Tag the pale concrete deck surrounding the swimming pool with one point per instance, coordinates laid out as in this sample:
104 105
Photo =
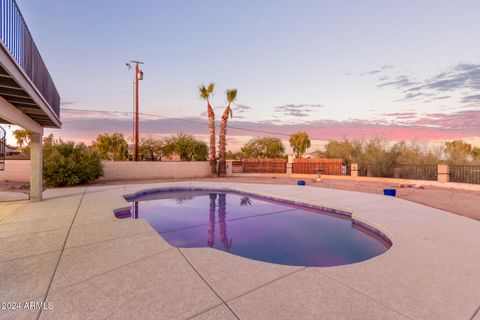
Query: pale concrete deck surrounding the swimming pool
71 251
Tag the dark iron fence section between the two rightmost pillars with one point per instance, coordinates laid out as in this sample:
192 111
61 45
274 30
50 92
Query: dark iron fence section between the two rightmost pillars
404 171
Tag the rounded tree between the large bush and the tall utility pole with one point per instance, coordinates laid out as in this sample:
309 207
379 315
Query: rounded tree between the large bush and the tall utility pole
112 147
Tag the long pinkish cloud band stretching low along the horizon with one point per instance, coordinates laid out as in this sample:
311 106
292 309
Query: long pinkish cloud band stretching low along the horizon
392 126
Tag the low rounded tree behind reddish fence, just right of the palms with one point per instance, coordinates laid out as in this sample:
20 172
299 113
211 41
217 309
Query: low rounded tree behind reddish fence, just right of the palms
265 147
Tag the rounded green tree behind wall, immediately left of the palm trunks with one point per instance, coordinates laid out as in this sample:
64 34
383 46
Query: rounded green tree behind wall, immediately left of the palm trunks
186 147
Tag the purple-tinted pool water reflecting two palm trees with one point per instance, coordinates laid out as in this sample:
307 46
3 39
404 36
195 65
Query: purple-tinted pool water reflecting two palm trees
255 228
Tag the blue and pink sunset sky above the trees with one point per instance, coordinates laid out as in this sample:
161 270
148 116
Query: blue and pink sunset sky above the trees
403 70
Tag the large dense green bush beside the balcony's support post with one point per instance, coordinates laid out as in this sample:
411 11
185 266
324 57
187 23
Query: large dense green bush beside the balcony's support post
69 164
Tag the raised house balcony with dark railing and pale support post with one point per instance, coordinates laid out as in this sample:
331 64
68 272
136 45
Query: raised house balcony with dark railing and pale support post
28 97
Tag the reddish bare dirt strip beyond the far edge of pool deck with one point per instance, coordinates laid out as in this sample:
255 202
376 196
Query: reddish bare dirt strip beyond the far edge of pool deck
461 202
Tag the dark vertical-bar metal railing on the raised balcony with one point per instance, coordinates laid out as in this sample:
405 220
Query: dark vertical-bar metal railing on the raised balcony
16 38
